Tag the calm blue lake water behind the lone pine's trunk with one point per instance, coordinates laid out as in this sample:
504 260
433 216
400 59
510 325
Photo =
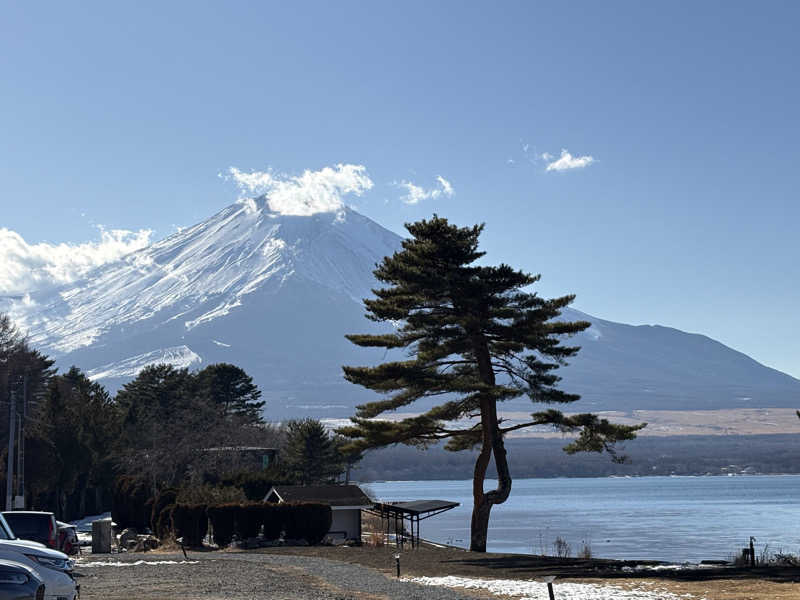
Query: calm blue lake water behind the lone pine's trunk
664 518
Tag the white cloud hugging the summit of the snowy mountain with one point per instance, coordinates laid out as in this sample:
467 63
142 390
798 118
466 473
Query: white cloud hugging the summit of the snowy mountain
306 194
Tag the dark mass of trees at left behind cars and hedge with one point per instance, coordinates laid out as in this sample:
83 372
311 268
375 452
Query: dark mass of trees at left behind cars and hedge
169 428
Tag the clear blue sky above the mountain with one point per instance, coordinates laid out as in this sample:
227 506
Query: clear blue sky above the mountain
124 114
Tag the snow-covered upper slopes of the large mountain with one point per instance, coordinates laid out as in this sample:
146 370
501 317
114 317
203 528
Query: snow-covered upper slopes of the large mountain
205 272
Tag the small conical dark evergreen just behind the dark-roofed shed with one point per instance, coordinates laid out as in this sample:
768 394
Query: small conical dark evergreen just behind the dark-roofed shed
311 455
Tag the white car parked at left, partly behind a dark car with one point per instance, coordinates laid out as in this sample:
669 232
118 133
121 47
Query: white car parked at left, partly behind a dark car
54 568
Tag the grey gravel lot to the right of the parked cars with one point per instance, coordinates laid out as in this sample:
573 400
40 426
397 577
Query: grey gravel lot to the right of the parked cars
240 576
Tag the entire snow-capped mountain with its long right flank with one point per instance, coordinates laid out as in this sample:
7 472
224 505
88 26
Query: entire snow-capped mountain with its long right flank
276 294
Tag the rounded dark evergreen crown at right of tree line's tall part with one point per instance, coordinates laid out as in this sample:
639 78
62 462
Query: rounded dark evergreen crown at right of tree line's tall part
233 390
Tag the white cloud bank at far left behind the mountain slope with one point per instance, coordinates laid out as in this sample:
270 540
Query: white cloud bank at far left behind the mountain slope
28 267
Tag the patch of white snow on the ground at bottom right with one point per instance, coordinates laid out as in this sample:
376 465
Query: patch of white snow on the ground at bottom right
535 590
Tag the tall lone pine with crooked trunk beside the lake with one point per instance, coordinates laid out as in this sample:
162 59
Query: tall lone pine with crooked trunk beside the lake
475 338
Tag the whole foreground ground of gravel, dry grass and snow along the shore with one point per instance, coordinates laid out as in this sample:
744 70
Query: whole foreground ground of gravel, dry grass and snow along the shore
330 573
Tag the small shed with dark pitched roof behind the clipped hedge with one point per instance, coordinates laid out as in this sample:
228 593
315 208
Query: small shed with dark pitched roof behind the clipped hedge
346 502
